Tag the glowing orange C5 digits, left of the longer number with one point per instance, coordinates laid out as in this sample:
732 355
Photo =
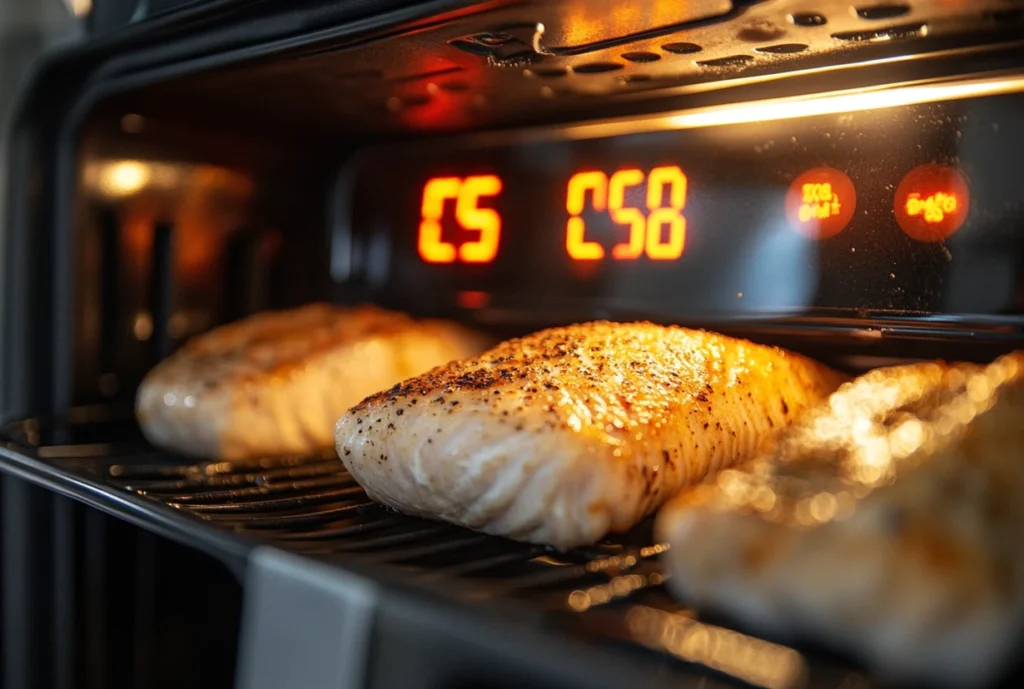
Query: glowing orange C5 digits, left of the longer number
466 193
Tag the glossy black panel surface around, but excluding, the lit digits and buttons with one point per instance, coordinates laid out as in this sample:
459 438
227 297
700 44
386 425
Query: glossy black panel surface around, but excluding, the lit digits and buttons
742 256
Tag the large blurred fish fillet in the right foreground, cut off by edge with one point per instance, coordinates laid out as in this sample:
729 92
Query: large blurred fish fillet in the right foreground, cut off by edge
887 523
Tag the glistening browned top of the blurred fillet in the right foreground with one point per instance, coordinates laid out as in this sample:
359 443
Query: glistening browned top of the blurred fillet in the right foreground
873 432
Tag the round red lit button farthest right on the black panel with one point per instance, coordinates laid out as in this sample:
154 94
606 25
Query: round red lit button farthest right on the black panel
932 202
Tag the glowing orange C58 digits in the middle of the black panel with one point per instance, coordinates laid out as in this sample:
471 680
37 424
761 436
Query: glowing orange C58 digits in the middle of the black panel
646 233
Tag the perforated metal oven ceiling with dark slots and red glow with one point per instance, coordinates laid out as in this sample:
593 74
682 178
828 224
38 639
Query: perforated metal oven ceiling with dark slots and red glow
521 62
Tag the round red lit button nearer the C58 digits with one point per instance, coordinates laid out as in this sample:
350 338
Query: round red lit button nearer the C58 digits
821 203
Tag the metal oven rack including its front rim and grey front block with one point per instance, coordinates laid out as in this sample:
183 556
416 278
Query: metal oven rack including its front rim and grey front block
339 592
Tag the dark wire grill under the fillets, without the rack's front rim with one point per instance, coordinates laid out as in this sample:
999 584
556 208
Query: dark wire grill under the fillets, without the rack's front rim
610 593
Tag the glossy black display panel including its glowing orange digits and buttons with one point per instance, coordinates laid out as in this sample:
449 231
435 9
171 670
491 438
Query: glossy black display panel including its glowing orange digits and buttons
911 210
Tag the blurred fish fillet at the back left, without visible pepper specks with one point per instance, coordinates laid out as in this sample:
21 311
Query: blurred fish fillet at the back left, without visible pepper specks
277 383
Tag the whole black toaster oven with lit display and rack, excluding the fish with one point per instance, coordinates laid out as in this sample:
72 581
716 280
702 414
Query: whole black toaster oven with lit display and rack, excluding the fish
837 178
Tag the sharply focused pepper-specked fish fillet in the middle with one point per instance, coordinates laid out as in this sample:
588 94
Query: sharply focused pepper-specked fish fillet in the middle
571 434
